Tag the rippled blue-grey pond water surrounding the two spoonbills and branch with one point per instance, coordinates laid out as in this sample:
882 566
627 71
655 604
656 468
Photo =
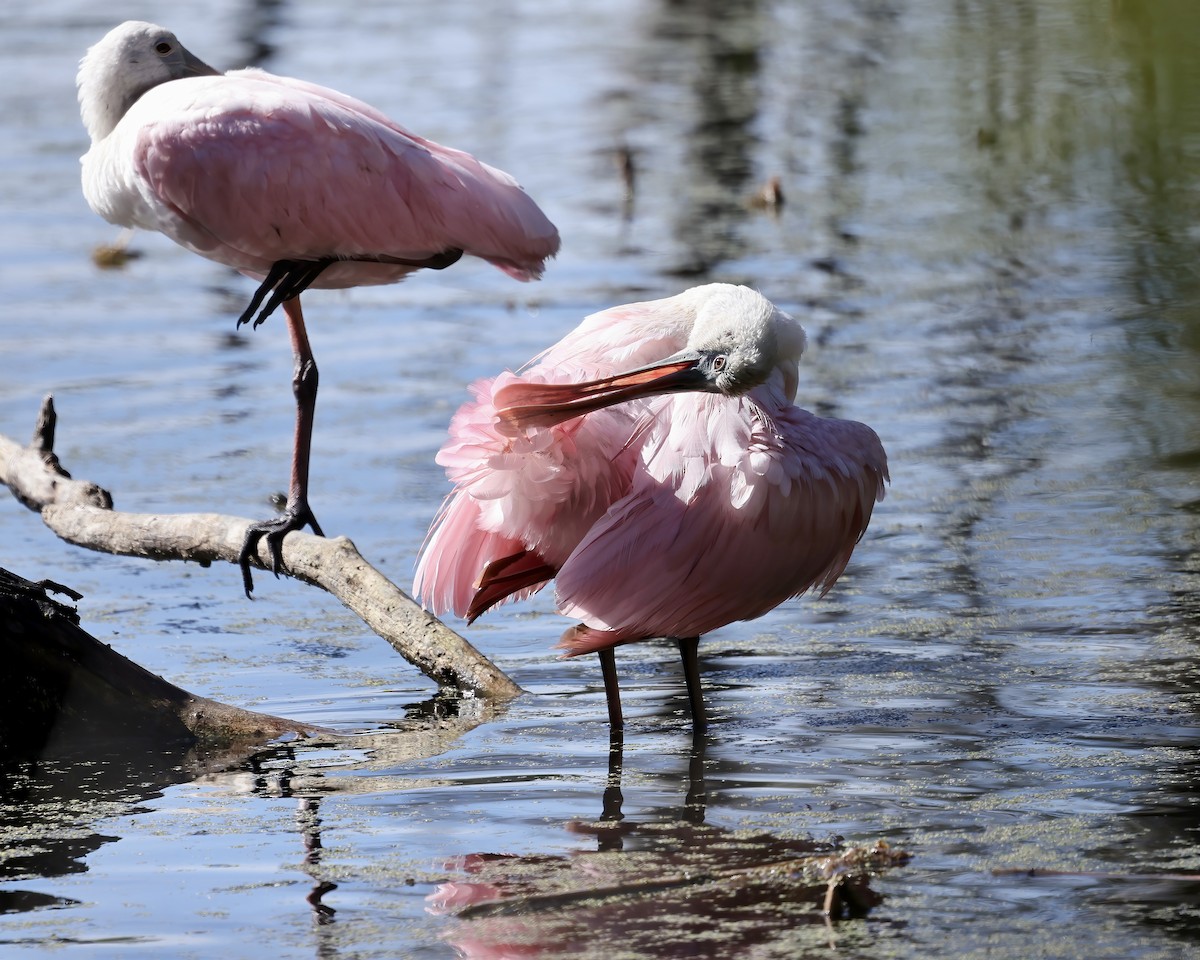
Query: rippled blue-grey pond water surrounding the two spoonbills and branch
989 232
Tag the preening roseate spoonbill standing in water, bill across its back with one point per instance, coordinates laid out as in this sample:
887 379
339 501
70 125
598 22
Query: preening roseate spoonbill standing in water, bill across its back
653 463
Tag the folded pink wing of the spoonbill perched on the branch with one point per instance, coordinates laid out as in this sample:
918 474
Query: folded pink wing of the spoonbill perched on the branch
262 169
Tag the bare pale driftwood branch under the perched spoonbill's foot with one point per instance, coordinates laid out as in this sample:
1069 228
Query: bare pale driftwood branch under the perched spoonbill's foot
82 513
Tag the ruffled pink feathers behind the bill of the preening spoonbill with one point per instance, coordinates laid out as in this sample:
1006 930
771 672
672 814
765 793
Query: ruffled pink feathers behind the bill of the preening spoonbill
543 488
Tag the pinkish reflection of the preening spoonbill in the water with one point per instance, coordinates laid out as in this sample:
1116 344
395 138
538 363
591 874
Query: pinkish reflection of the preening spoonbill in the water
670 887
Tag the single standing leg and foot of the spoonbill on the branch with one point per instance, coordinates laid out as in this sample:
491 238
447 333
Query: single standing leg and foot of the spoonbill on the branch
297 514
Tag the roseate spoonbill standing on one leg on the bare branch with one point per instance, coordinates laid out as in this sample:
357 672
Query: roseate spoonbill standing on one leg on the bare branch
292 184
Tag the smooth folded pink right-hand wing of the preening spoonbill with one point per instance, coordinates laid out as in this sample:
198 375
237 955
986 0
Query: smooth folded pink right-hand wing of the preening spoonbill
725 519
